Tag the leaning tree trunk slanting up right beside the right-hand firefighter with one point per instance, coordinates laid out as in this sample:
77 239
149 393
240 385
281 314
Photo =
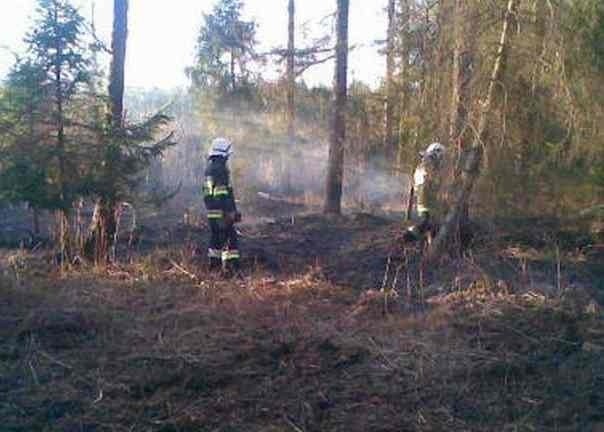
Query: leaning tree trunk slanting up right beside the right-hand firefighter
471 166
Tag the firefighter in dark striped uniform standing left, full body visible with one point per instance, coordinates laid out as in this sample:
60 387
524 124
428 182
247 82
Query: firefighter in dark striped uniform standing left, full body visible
222 211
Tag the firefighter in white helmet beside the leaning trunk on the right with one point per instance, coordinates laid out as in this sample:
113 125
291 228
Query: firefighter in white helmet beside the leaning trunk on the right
426 183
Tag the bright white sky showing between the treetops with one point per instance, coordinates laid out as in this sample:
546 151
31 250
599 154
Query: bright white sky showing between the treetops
163 34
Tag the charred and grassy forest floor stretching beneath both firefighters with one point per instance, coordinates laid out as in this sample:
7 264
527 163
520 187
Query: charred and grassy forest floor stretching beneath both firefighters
332 326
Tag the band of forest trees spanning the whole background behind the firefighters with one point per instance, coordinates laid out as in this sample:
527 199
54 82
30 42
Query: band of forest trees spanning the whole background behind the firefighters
514 89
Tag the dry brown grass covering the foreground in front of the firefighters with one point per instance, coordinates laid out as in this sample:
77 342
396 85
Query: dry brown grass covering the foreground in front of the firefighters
161 346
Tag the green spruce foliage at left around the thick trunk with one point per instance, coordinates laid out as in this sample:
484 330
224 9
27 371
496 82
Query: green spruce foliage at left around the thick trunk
57 146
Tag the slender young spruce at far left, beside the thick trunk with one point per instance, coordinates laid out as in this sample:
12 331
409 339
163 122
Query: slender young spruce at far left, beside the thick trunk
58 56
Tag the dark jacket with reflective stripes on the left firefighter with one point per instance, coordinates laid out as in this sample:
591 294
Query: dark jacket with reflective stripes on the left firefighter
217 190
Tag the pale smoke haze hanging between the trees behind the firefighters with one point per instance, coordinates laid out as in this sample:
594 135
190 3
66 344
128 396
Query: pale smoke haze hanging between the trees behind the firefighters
262 155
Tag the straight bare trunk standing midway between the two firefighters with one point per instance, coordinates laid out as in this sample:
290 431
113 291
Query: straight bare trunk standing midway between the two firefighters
335 169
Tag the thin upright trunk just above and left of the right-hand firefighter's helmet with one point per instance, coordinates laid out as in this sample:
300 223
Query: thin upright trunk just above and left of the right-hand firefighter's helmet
390 96
